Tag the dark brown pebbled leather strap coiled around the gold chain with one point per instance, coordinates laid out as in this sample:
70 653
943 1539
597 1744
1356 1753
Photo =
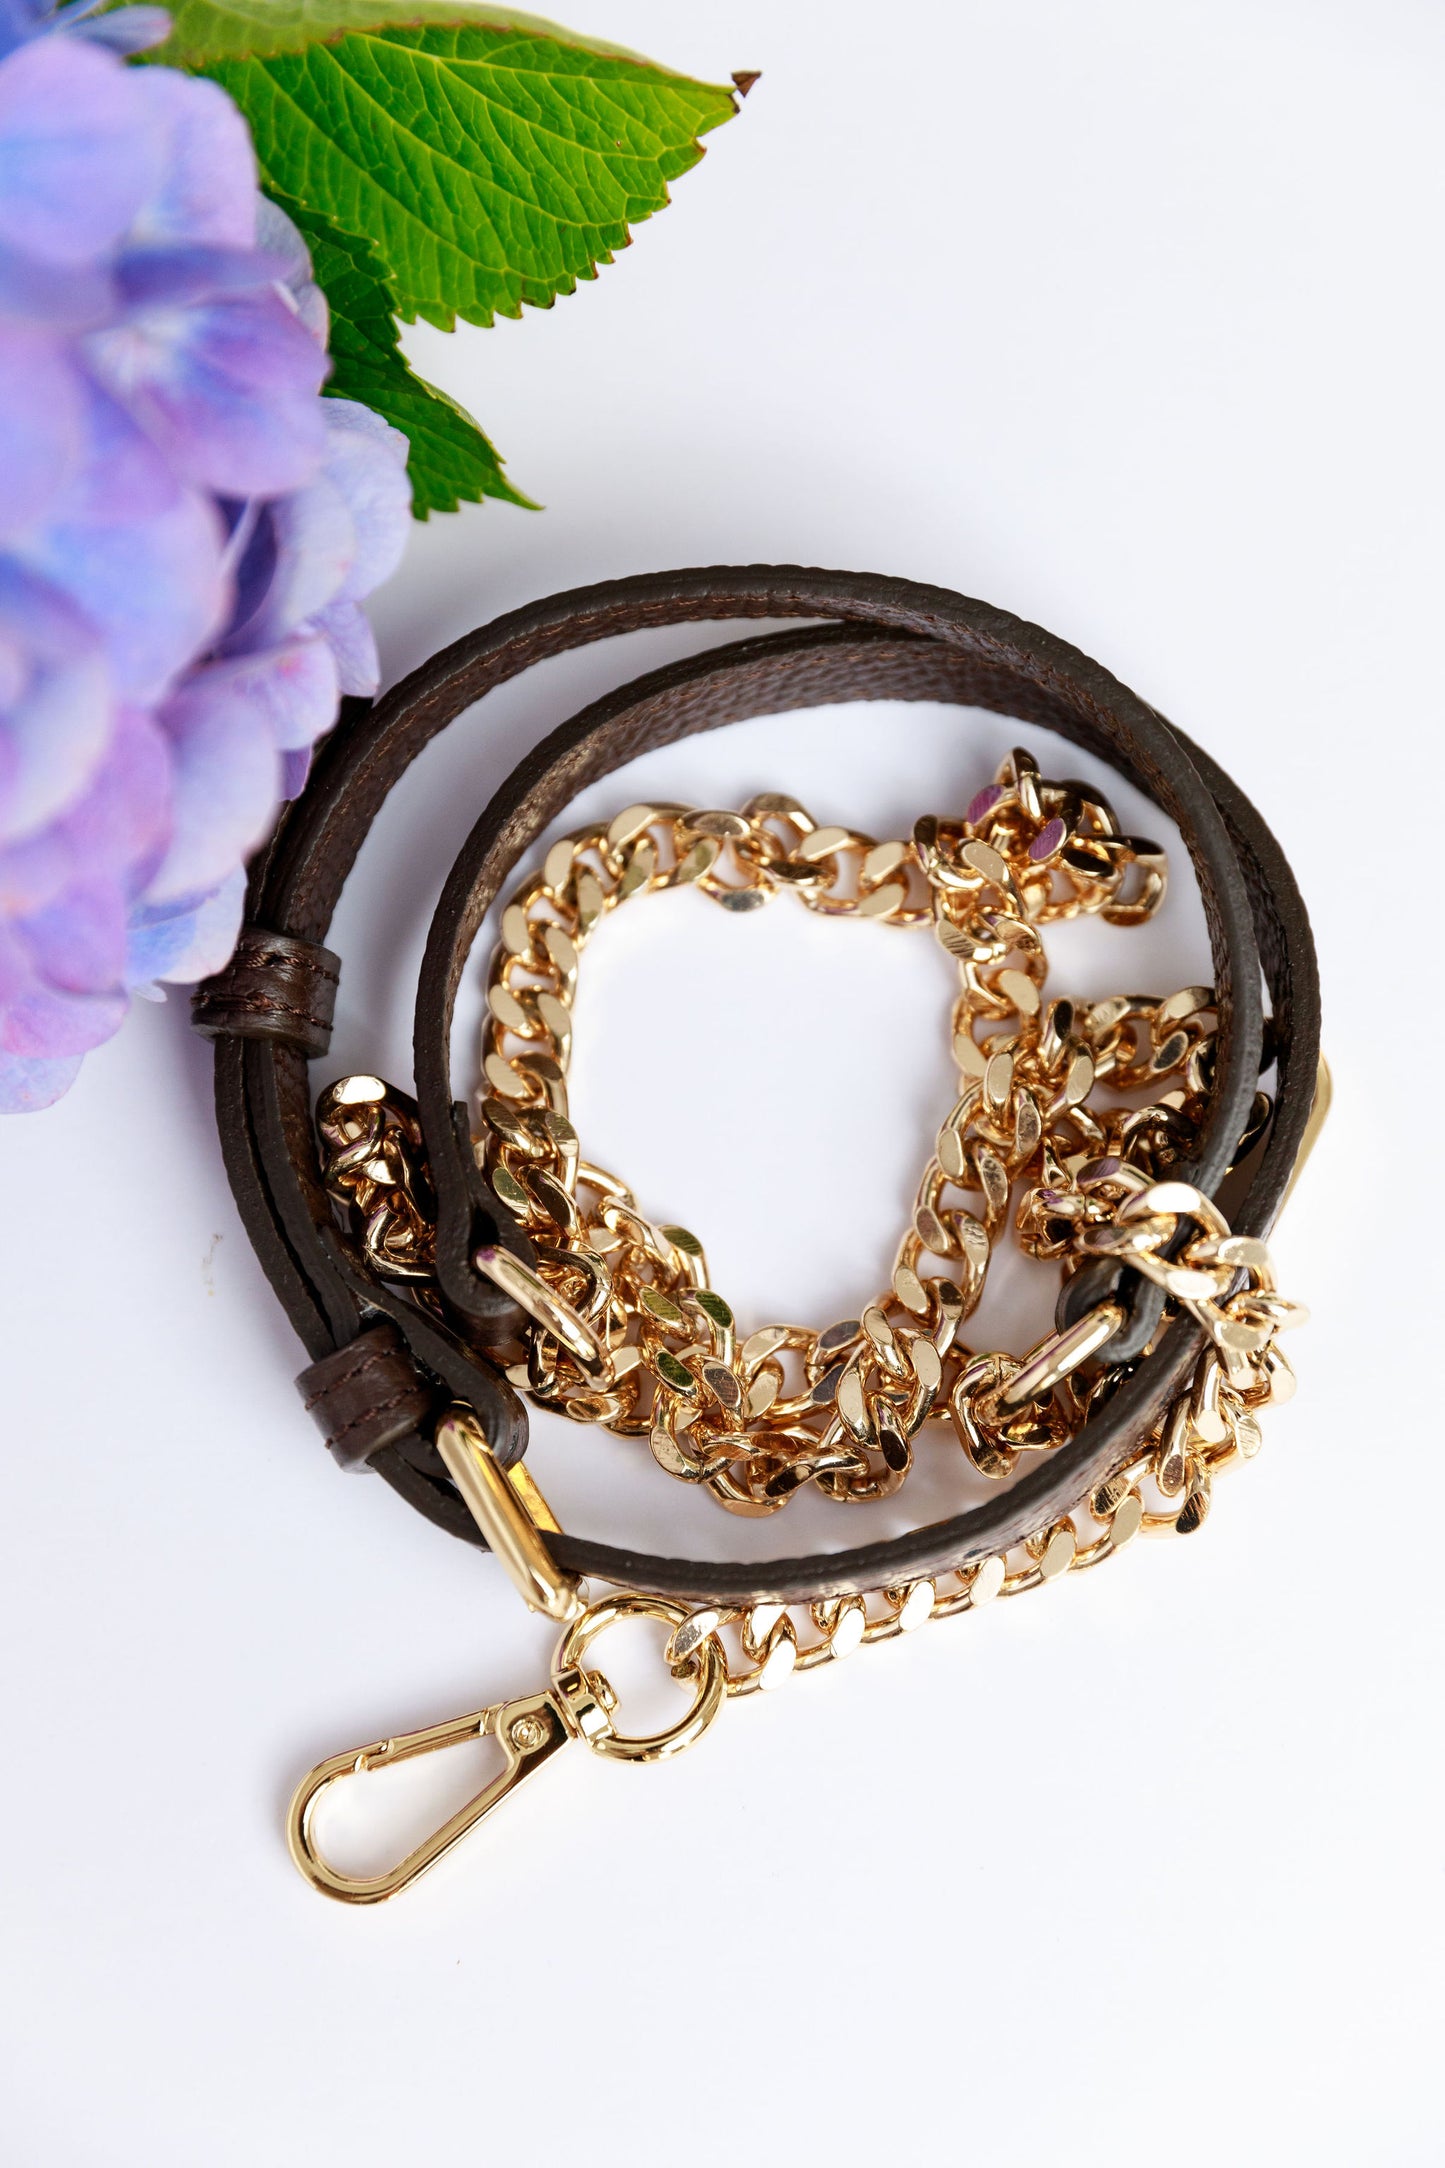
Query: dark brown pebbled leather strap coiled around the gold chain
887 641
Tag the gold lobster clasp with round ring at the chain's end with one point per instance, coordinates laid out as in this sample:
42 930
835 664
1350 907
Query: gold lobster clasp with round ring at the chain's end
530 1731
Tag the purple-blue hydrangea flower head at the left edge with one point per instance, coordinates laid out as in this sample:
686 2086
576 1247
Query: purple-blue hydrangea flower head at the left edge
187 530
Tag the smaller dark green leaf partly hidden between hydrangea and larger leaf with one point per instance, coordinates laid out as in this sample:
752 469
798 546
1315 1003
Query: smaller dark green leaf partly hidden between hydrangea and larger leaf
452 461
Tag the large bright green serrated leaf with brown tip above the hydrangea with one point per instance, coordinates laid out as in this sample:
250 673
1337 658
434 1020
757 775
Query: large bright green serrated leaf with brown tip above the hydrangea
489 164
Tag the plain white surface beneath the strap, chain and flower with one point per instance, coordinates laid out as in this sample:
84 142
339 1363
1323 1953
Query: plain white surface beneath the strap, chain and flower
1123 315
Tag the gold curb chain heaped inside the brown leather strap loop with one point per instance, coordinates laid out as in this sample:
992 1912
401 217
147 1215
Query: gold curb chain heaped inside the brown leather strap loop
649 1345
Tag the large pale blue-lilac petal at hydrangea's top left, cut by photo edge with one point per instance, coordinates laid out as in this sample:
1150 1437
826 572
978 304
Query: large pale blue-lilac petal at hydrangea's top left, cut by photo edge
77 153
